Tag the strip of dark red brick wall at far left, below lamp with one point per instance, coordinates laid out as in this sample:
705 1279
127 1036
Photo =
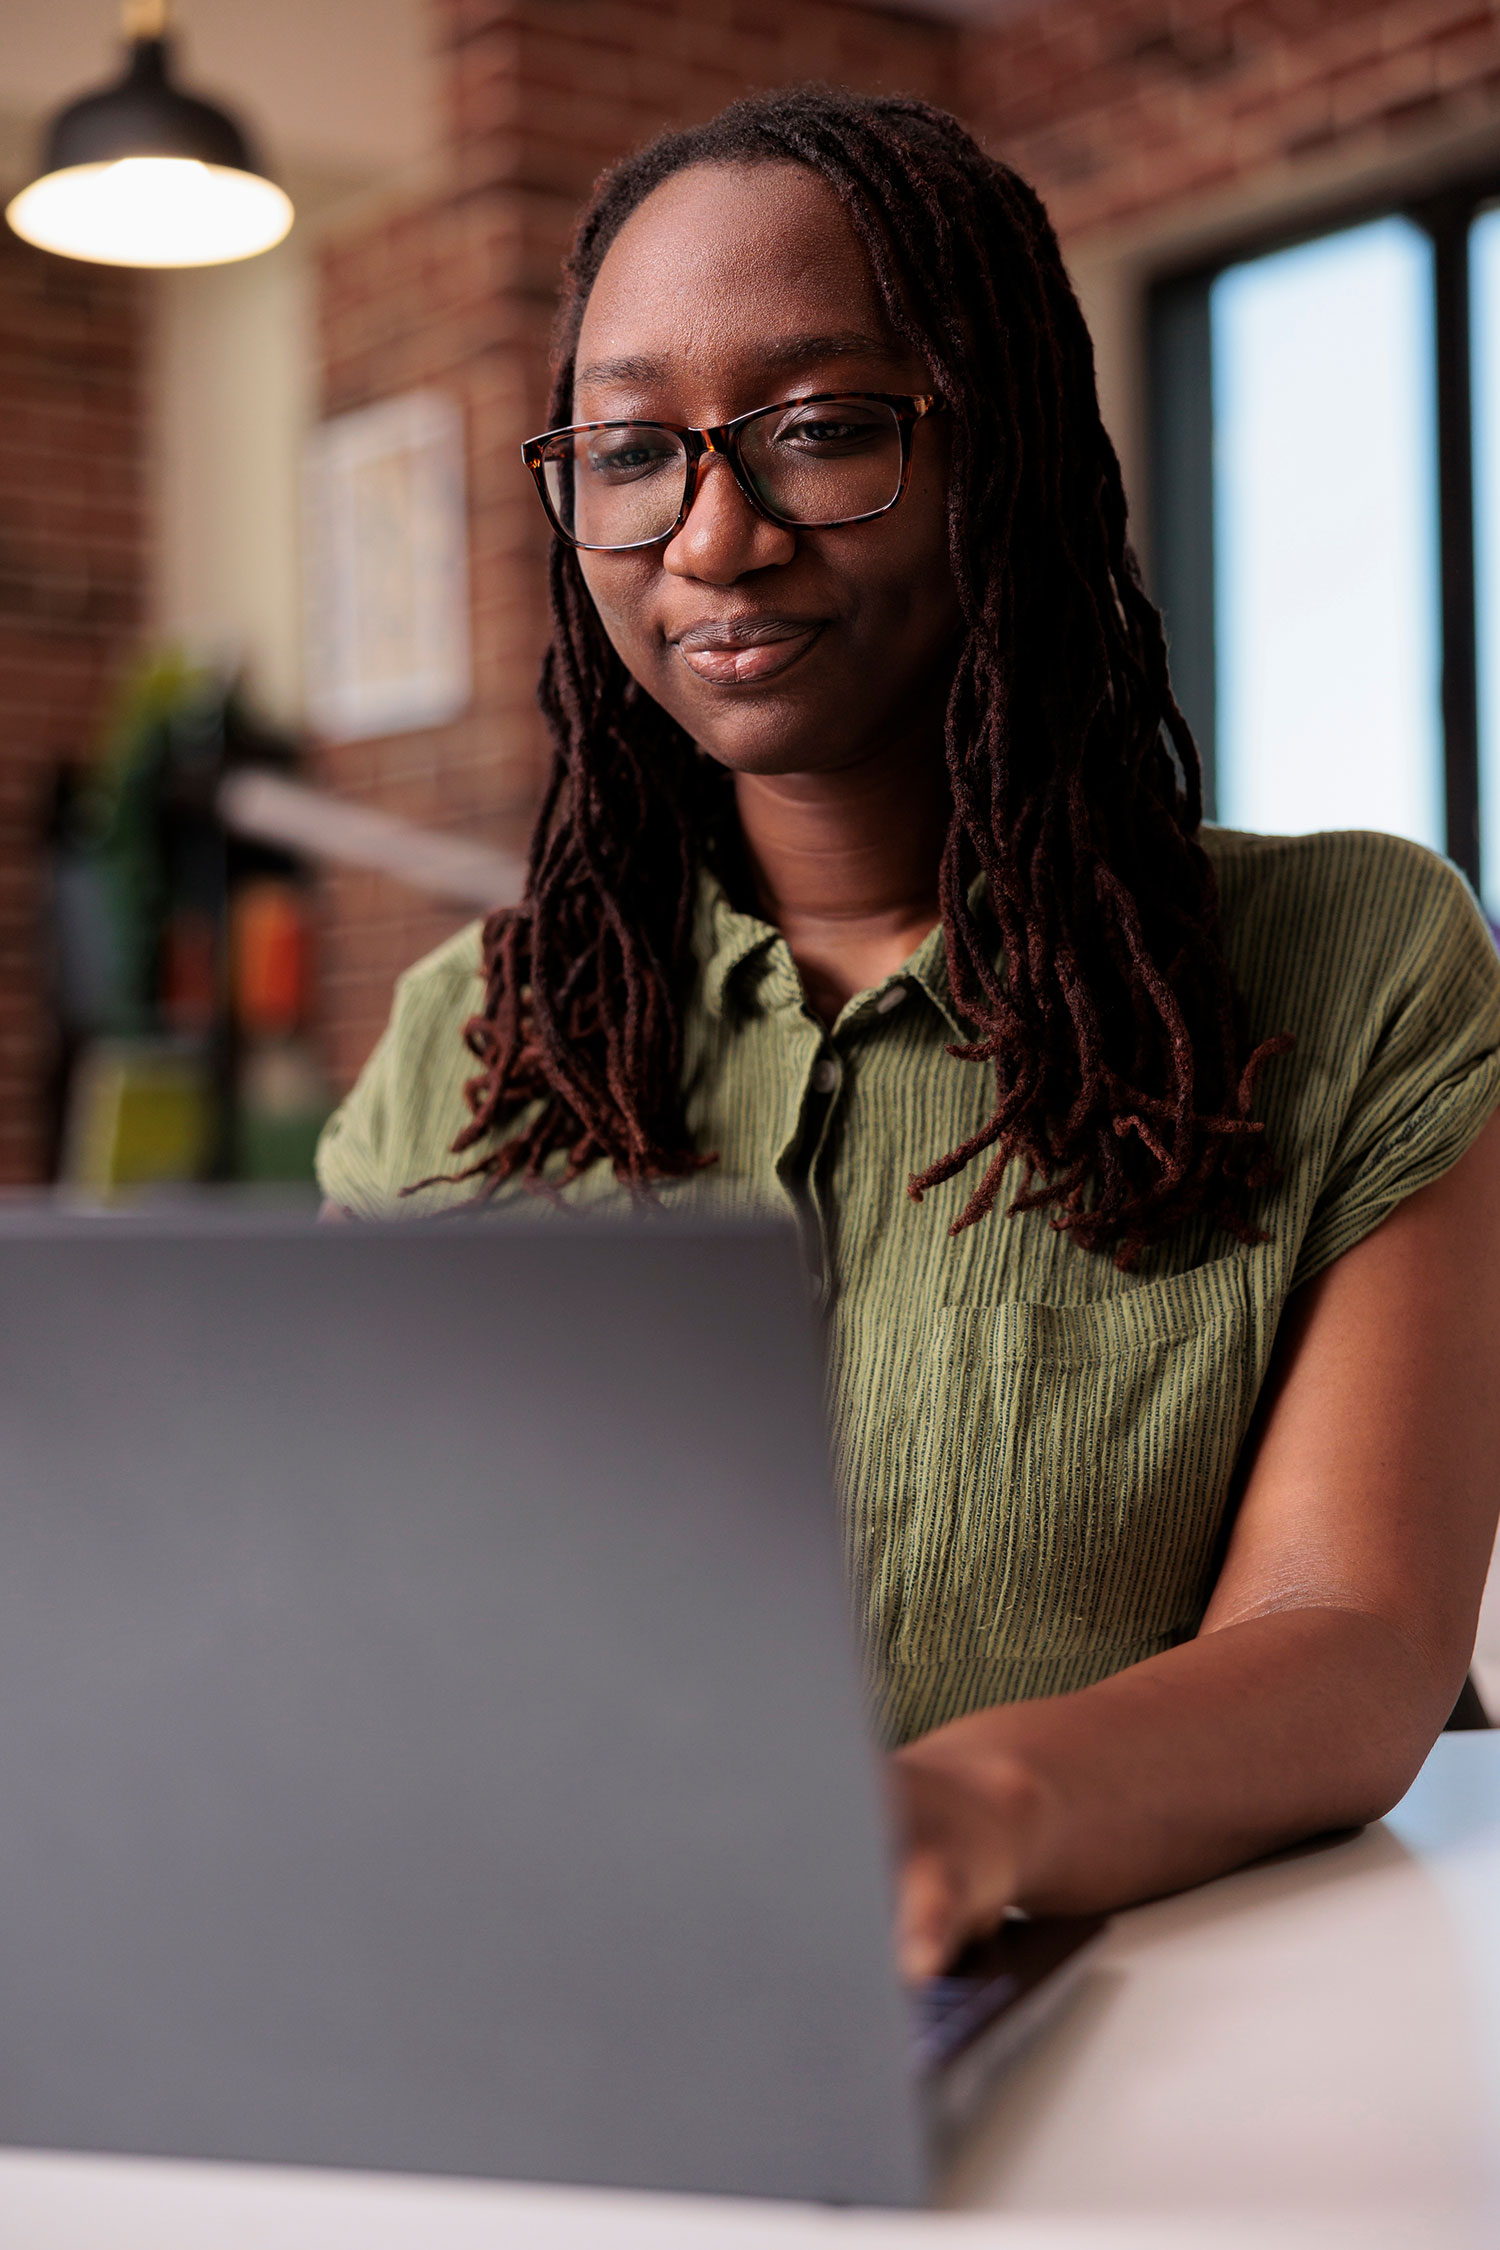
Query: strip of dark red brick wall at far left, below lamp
73 568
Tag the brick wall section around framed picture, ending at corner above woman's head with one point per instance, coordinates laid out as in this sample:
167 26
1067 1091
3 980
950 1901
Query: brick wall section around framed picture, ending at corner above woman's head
460 294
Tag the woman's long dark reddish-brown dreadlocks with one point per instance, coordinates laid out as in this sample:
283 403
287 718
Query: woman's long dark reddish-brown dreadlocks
1105 1011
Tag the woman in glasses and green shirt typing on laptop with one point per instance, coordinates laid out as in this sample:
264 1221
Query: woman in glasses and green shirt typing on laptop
1146 1169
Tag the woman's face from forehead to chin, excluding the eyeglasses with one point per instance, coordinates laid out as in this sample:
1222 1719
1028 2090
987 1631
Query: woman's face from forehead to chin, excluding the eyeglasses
779 651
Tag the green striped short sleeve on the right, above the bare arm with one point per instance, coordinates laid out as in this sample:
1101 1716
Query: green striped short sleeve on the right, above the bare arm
1431 1072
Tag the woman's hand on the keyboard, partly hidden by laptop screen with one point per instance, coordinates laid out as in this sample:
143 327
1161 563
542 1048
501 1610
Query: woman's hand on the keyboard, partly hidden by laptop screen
968 1830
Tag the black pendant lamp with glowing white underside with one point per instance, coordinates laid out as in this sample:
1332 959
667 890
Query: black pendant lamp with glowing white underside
143 174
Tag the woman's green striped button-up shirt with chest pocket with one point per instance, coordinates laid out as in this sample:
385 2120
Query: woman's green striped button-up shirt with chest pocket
1036 1450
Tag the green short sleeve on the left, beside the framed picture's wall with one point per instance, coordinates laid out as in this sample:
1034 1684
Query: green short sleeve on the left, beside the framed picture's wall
401 1117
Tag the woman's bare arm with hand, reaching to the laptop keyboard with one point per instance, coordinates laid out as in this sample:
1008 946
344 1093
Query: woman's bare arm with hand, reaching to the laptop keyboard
1337 1637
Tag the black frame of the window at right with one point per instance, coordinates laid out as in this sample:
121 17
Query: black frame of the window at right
1182 471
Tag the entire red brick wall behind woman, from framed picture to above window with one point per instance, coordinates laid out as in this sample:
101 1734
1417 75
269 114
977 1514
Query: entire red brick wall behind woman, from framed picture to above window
1126 114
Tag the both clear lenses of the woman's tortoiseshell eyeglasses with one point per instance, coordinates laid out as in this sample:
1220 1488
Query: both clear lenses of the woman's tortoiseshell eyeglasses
808 465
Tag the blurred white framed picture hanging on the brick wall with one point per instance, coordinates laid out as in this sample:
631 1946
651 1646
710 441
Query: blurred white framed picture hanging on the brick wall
386 568
